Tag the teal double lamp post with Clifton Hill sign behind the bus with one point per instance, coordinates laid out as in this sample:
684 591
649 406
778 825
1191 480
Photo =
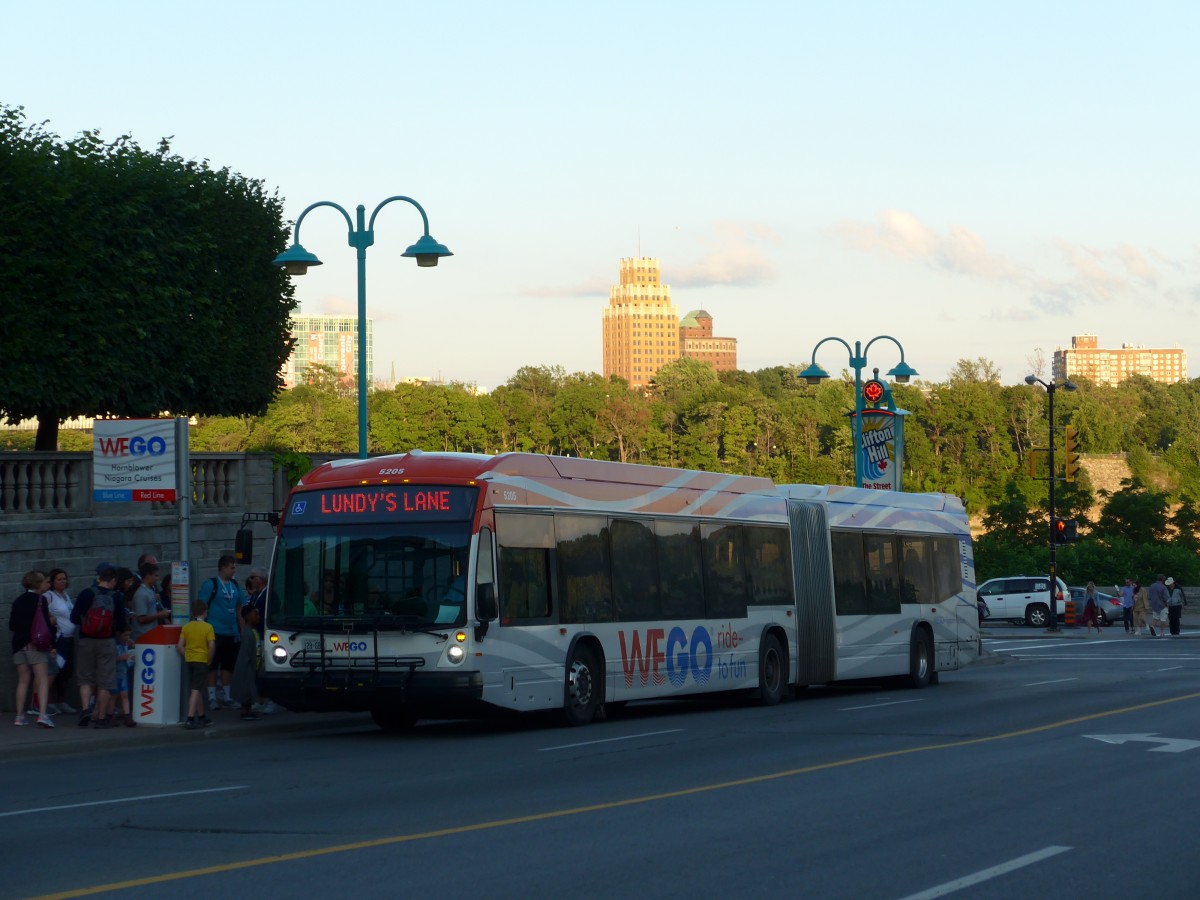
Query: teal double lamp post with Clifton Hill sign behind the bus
879 425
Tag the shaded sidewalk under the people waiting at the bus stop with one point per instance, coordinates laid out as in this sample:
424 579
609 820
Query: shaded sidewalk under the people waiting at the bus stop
32 742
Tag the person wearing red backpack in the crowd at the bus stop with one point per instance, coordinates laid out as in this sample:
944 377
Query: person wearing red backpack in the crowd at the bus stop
100 614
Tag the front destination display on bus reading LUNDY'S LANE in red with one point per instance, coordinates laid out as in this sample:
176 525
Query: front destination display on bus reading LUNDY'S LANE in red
383 503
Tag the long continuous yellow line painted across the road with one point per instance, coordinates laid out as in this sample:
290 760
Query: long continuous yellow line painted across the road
550 815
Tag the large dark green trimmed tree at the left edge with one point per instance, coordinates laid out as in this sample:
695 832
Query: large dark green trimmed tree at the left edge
153 274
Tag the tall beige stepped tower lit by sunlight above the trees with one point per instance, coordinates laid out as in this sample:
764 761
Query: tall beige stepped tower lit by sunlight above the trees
641 326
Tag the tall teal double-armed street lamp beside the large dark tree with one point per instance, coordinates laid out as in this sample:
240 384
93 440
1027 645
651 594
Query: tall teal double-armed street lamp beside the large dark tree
296 261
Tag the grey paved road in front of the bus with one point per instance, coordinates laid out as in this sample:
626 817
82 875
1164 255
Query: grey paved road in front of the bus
1011 779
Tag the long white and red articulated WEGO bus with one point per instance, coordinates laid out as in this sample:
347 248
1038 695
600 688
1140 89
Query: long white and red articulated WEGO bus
431 585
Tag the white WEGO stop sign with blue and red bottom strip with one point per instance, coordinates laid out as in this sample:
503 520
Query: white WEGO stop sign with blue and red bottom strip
134 460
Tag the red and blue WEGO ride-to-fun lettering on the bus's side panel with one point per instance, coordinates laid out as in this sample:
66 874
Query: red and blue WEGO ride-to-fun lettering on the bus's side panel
679 657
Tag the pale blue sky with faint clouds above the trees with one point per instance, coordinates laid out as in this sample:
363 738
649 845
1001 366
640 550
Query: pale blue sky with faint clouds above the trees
974 181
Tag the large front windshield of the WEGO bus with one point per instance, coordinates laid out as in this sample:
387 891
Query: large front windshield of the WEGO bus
399 575
